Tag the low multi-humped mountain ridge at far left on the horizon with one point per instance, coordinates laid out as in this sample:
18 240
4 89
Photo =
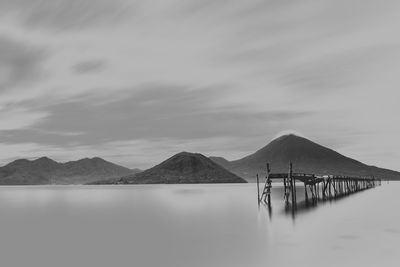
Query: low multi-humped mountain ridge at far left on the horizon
48 171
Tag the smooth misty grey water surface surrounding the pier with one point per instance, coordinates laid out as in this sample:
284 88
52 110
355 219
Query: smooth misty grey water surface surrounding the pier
194 225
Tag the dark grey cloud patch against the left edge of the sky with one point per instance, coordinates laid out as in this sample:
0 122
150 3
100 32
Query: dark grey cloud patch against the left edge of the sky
20 64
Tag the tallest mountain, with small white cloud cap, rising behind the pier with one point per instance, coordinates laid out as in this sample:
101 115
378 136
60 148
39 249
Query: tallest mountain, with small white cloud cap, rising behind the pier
306 156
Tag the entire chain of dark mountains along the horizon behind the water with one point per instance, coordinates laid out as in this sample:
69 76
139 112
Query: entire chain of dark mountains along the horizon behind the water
184 167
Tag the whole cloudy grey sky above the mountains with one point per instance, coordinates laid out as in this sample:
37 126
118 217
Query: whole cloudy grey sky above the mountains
135 82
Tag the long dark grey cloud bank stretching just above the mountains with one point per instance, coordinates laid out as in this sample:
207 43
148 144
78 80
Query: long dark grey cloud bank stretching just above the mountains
155 112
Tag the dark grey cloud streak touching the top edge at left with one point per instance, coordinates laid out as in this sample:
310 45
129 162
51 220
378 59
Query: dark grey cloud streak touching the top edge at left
66 14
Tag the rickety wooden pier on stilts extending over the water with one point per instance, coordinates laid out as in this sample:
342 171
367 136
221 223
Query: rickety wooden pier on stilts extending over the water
315 187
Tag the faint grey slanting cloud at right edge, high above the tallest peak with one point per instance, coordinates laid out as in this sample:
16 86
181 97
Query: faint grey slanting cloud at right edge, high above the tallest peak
339 70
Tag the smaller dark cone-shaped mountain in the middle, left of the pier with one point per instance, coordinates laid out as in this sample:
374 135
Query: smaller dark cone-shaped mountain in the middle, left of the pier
182 168
